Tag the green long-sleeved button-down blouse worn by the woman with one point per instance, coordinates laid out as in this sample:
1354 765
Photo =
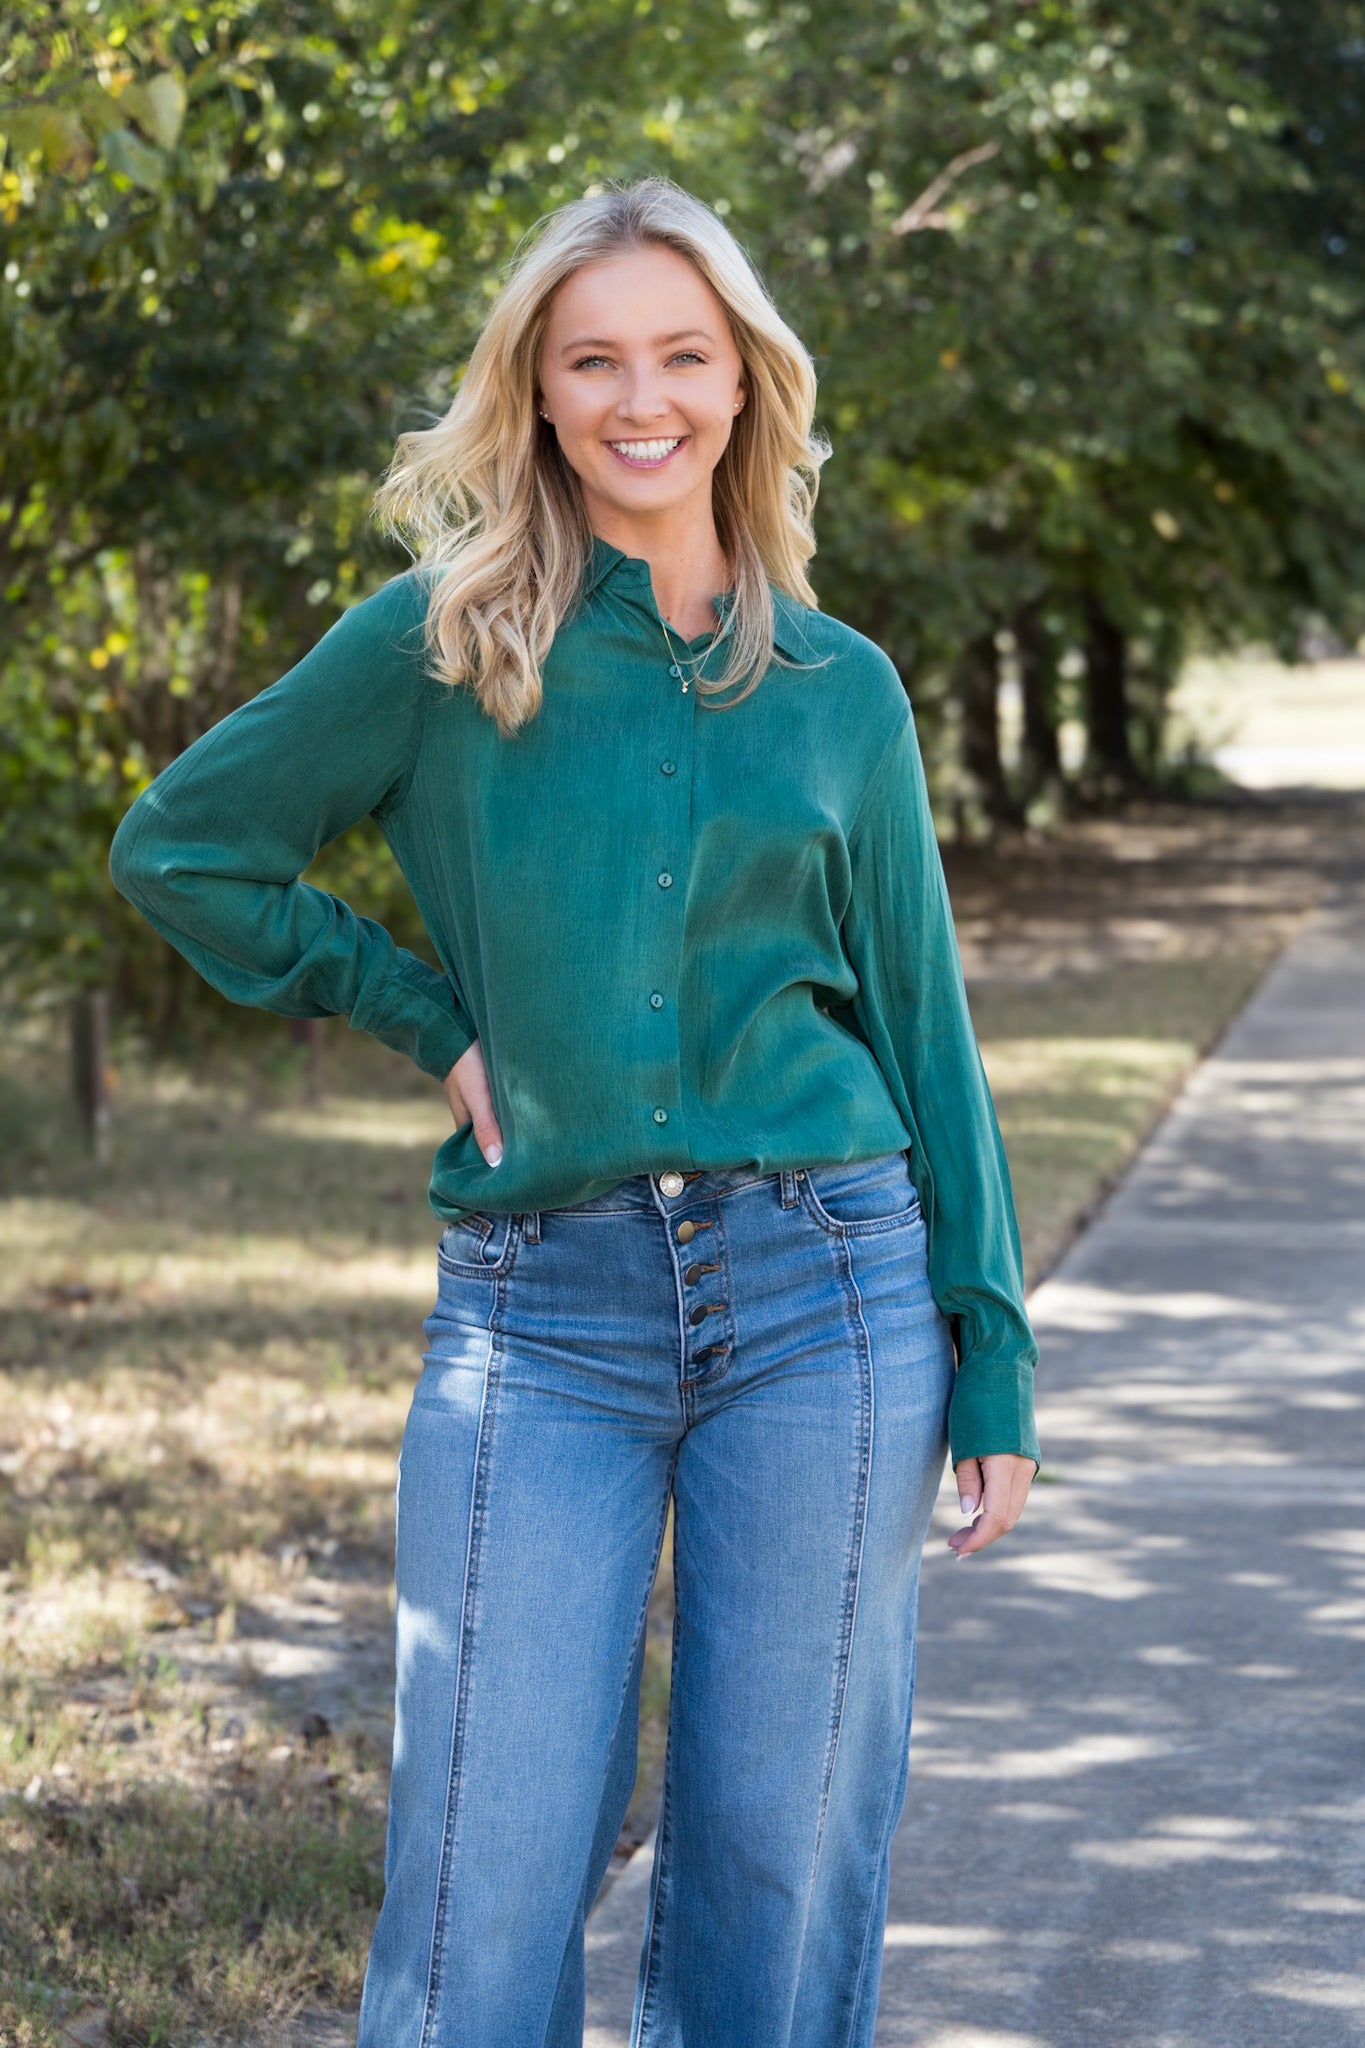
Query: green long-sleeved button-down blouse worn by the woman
687 937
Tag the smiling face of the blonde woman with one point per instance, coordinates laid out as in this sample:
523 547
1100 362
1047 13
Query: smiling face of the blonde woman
642 380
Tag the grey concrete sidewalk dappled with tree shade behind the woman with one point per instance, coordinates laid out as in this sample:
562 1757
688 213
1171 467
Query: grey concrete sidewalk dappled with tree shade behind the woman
1137 1811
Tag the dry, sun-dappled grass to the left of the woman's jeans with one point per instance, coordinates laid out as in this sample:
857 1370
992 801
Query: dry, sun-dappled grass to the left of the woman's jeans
208 1353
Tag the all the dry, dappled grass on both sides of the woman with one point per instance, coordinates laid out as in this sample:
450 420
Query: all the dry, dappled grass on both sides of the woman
210 1349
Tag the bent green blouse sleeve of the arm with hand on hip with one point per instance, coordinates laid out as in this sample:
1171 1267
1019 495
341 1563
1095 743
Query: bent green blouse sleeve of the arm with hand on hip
214 849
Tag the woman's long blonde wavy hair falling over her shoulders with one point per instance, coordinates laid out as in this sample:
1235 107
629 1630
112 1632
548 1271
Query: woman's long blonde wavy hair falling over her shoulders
492 513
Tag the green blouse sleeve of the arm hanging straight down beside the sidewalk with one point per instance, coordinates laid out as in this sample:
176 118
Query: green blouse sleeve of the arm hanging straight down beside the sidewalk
914 1013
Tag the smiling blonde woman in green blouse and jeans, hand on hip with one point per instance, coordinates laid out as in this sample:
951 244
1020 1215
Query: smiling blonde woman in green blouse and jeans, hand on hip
728 1213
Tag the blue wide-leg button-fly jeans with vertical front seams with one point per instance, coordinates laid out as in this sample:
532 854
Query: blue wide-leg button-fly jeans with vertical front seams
766 1351
